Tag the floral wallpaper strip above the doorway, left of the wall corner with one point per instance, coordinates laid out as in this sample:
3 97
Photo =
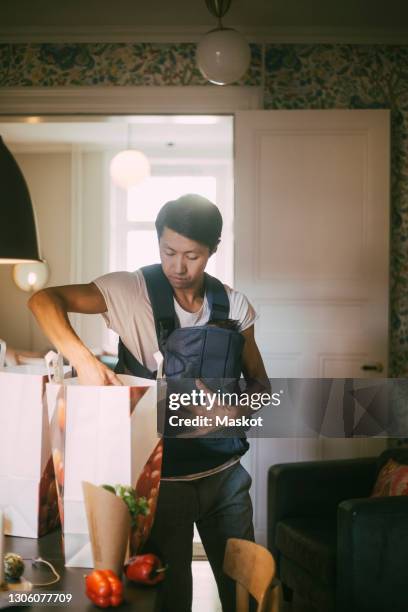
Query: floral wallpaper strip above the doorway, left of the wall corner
116 64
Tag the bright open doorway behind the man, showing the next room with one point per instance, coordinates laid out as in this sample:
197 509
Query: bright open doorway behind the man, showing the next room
101 227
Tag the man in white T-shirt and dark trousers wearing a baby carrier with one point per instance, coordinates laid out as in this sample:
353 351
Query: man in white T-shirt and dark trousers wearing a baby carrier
216 499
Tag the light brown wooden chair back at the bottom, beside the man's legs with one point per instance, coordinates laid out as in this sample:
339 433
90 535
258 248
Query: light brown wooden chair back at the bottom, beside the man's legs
253 568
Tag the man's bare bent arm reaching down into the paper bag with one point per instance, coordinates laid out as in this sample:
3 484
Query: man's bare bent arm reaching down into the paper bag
51 307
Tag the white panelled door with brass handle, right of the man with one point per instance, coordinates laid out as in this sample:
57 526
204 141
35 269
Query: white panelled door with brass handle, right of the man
311 253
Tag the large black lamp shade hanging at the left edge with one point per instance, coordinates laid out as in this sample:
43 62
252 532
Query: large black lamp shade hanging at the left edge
18 234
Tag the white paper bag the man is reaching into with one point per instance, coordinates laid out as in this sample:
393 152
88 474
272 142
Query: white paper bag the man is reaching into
102 435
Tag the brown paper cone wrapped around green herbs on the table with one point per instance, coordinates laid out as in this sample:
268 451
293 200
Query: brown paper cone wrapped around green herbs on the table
109 527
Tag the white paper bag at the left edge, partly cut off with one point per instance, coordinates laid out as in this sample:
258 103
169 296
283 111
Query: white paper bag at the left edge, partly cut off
28 495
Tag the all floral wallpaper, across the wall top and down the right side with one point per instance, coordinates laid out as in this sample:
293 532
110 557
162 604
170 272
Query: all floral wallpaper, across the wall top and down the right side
297 76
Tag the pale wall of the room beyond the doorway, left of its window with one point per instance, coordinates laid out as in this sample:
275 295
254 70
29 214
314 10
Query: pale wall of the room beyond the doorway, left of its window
67 190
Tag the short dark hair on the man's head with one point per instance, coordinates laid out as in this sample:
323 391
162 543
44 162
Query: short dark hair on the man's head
194 217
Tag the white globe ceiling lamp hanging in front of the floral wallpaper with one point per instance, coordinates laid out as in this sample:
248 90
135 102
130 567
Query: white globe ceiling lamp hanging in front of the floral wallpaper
223 56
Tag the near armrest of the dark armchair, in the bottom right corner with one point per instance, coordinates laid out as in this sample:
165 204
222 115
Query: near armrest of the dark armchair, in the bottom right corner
372 545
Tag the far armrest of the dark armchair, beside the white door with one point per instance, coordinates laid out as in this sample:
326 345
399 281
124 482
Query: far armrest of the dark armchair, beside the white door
314 488
